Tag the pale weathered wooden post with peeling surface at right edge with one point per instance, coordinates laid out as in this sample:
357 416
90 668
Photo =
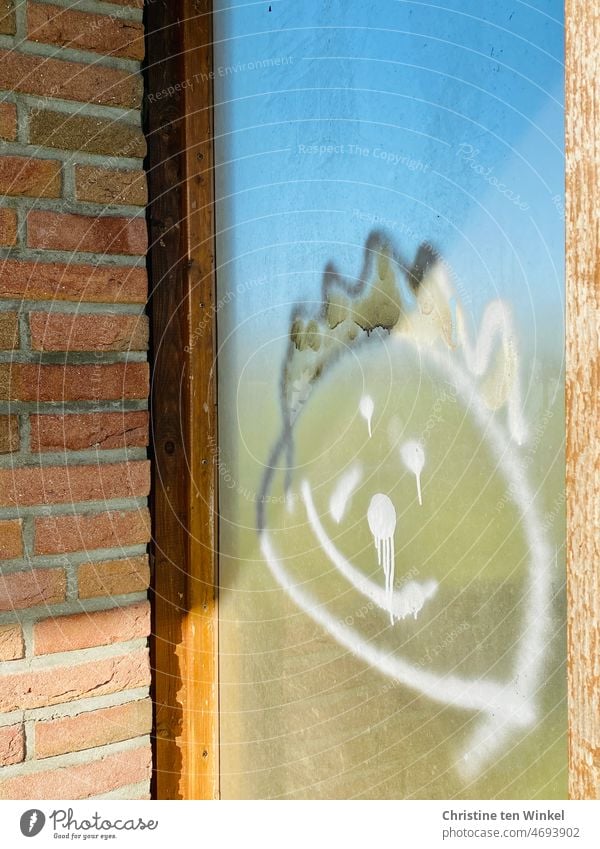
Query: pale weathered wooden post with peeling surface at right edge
583 415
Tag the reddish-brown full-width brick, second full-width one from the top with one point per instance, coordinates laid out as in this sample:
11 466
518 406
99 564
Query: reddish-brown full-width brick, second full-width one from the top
38 281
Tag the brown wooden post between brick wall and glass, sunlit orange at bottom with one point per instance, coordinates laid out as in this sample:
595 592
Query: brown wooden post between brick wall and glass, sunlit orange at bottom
184 426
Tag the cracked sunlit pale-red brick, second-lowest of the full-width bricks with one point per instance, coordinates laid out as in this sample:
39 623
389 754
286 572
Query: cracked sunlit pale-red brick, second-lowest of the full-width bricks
58 684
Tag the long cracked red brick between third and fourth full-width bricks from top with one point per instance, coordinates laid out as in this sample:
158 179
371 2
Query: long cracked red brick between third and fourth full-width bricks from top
81 431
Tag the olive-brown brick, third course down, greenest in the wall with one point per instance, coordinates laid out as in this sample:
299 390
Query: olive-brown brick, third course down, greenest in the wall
90 135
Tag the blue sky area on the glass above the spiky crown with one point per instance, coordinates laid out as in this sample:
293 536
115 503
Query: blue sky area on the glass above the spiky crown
438 122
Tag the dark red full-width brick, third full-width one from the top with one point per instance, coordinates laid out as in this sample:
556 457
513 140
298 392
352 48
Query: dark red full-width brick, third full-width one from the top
27 382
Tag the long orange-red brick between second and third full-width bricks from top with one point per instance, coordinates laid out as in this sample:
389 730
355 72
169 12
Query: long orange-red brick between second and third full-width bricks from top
76 332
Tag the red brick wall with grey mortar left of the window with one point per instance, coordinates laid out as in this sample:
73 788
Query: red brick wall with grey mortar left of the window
74 672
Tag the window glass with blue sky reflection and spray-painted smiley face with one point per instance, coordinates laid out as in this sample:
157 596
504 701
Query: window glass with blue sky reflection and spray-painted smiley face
390 331
